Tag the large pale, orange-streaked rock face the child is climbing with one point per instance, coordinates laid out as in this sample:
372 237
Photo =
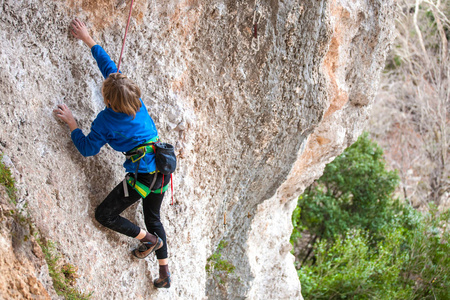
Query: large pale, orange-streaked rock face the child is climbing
252 128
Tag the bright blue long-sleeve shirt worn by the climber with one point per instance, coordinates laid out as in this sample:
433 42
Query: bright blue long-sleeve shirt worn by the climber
119 130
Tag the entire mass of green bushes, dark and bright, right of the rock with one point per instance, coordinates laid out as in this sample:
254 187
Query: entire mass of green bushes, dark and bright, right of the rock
365 244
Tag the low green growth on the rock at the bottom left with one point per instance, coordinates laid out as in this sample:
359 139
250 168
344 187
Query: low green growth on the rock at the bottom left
64 276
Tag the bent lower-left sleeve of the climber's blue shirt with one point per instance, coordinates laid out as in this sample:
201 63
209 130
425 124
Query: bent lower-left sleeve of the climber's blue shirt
89 145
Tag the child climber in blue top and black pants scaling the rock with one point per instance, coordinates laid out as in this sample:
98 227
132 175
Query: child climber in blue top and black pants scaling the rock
124 124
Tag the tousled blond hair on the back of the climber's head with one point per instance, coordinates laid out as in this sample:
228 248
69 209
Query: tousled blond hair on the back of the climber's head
121 94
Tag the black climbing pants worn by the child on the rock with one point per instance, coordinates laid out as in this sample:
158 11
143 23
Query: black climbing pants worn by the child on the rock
108 212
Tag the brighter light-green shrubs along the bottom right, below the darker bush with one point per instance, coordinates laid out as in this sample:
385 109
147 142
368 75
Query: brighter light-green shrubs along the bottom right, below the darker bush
407 264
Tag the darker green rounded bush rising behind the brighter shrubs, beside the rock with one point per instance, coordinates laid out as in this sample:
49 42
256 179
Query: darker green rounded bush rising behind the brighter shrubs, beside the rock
354 192
